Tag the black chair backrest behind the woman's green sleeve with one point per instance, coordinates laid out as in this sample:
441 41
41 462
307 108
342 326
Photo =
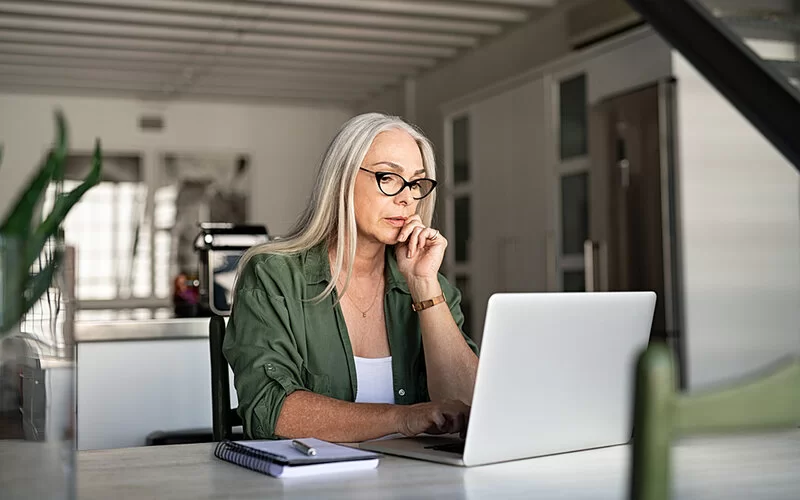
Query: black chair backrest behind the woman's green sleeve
224 419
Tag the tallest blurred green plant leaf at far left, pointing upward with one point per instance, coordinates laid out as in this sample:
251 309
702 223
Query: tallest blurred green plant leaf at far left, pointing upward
19 220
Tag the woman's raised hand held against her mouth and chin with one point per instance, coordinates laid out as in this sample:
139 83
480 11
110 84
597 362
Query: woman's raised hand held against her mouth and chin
420 250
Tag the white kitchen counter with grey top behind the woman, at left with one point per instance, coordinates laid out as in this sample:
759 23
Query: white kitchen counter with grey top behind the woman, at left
137 377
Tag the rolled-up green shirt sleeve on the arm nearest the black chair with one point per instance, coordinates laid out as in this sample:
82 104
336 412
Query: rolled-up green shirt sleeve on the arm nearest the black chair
262 351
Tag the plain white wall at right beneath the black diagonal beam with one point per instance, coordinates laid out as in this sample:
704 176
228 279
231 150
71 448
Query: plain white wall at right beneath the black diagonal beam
740 211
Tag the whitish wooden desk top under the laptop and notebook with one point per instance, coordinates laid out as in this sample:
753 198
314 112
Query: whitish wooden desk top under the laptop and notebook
764 467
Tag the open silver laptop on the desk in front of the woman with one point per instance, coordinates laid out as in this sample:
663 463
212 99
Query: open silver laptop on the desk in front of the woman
555 375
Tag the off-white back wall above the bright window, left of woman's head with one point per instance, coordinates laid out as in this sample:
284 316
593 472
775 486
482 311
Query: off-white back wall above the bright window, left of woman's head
285 142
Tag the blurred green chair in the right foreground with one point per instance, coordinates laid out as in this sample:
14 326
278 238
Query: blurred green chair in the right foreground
770 400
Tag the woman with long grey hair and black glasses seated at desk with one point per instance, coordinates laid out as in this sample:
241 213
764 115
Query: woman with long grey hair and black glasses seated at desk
322 338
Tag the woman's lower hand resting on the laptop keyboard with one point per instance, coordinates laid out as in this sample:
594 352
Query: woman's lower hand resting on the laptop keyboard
440 417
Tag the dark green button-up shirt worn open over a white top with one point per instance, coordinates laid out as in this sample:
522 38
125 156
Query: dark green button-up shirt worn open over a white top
278 340
